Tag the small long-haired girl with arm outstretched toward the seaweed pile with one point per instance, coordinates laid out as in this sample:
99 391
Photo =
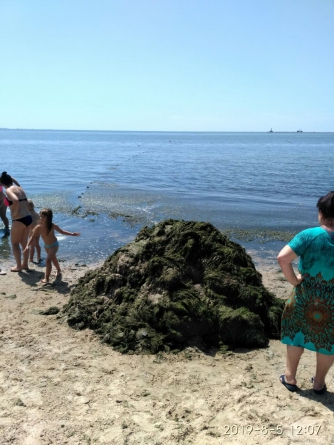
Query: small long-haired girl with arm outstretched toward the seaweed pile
46 229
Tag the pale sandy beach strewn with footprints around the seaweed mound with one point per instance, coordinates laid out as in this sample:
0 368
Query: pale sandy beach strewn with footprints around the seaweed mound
61 386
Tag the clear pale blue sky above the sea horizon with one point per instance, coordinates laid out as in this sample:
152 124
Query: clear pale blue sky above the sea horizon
167 65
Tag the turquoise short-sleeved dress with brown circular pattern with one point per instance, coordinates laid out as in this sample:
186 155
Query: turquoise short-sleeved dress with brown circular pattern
308 317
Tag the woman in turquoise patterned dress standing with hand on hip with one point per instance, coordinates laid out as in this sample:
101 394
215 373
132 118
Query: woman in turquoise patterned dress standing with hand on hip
308 317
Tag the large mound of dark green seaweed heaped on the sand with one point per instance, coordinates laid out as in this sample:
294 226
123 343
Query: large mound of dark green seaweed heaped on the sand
179 283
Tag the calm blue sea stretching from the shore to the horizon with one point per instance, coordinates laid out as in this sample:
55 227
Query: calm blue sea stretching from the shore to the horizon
258 188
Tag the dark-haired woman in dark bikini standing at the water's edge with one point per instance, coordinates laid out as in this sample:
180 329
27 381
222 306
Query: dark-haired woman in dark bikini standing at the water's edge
21 220
